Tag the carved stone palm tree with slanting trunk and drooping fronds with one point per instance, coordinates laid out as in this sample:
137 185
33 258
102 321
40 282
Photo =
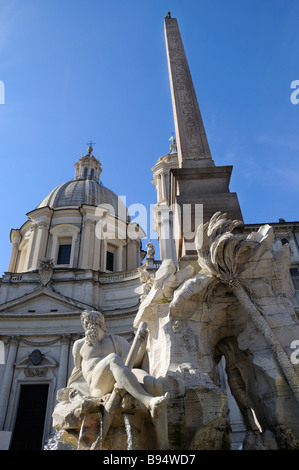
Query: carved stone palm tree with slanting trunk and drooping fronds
223 255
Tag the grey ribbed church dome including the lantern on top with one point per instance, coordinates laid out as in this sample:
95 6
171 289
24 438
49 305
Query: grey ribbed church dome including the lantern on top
85 189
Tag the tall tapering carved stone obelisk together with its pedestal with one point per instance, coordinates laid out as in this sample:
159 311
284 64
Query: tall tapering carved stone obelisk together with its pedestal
197 180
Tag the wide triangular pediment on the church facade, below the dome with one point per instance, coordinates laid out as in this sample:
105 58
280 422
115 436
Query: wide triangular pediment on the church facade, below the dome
42 301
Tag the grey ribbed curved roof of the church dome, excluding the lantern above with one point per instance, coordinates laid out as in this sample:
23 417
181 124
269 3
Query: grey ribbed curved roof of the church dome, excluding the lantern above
84 191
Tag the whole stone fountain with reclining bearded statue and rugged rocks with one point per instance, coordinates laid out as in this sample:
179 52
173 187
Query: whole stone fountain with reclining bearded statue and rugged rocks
235 304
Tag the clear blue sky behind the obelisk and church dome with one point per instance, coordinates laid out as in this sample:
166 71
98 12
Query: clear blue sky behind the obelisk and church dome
79 70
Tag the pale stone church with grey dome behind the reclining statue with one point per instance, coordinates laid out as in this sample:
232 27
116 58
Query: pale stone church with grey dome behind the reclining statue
78 250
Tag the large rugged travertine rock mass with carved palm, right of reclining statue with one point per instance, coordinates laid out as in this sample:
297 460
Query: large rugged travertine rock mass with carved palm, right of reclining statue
238 306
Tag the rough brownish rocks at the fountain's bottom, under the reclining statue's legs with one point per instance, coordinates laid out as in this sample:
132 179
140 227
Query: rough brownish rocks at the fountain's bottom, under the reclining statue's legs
78 426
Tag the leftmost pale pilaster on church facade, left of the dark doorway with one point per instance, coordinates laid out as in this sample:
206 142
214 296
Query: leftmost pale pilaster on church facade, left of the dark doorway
8 377
